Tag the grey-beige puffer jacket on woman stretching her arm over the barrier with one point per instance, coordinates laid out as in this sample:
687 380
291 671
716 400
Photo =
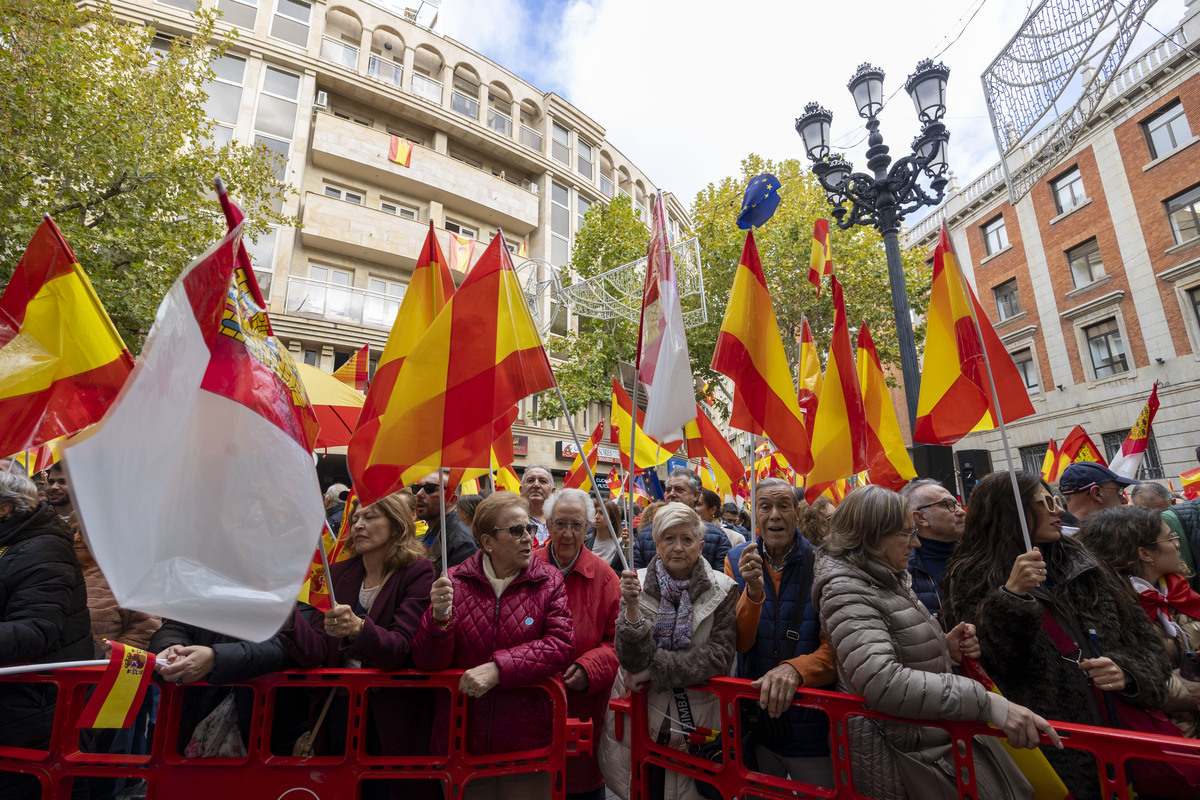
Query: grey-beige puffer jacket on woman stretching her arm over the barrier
891 652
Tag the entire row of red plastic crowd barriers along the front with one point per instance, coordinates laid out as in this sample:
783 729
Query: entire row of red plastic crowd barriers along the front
265 773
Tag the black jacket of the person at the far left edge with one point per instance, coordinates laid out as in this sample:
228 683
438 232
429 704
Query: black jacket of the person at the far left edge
44 617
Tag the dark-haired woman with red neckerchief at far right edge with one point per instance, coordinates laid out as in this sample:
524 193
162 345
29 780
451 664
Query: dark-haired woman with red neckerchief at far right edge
1137 544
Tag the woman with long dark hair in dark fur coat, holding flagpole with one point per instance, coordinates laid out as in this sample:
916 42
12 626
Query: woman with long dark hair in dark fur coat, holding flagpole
1054 623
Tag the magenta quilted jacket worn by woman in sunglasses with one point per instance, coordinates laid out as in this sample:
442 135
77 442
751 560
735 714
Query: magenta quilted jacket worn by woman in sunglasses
527 633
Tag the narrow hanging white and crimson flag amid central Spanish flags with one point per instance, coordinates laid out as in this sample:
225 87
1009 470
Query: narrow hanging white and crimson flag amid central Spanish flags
663 359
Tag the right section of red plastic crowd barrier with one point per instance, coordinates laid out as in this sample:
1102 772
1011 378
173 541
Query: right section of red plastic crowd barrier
733 779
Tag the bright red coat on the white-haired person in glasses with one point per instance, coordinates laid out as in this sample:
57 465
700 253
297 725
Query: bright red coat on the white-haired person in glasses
593 596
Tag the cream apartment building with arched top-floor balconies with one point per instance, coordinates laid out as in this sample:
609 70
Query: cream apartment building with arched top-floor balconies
335 87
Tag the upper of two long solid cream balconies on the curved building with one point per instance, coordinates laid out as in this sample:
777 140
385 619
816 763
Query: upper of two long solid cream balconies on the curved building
362 153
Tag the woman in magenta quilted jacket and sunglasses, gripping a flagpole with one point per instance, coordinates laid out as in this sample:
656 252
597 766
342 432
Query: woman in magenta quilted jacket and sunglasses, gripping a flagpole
503 617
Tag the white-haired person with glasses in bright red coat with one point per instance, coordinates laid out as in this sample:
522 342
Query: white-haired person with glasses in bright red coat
593 594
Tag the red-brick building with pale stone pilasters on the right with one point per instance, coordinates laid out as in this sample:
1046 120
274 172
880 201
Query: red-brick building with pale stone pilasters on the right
1093 279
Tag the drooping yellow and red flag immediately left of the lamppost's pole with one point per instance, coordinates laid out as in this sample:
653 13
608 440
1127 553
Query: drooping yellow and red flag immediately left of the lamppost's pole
887 459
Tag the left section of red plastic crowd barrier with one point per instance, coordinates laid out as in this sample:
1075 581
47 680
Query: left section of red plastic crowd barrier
267 775
